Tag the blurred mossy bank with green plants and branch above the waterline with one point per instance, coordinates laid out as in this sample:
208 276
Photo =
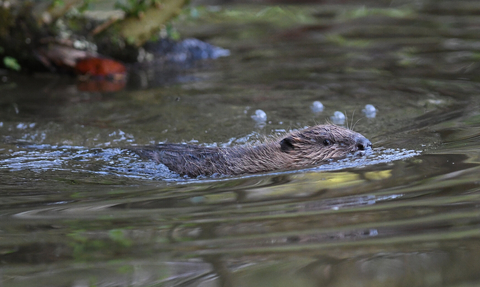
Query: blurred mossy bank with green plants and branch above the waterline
35 34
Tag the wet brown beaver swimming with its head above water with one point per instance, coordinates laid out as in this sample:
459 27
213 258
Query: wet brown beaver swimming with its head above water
298 149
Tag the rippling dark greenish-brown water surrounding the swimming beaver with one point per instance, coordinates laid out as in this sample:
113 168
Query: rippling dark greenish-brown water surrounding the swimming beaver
78 209
